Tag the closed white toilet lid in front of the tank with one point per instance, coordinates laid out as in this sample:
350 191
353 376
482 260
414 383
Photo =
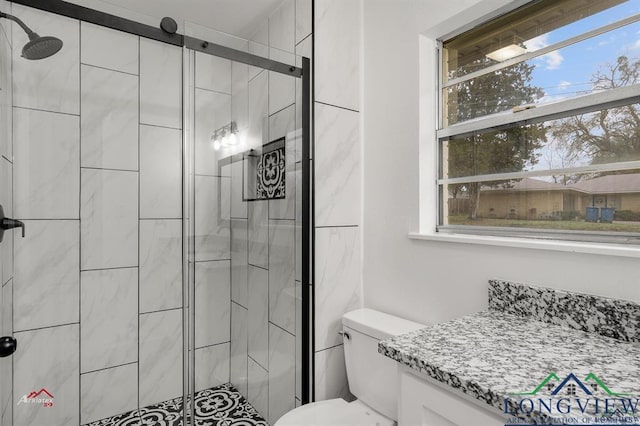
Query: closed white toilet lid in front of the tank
334 412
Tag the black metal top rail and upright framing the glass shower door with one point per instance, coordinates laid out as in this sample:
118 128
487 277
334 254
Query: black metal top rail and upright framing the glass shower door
103 19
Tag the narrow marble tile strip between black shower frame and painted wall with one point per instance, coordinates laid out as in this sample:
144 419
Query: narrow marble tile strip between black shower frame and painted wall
338 184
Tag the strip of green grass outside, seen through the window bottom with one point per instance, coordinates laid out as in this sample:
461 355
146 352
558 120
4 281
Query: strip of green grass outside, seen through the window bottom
569 225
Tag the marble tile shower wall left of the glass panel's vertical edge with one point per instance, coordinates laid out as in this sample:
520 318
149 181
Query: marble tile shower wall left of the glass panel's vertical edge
97 291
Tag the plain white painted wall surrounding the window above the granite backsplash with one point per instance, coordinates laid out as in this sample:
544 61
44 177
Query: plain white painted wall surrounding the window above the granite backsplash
430 281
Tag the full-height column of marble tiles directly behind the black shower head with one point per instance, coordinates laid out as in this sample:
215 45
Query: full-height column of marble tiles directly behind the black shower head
46 191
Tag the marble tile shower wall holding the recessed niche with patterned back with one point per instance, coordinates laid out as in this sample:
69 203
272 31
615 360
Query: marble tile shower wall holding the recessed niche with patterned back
266 322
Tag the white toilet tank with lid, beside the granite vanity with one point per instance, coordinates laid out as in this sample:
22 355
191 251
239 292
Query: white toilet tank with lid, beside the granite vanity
373 377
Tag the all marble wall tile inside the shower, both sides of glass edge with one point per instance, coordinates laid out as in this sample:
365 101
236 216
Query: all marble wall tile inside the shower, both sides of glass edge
98 182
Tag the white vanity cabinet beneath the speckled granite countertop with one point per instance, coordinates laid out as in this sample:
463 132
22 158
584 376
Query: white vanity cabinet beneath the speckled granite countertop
424 402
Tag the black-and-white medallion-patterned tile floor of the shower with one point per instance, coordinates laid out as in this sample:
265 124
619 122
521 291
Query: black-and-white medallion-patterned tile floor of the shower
219 406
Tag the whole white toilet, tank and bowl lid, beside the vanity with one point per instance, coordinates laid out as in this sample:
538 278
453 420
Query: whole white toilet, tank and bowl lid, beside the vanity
372 377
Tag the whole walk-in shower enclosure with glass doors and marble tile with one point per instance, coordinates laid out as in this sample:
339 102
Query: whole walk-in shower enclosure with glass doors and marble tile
164 185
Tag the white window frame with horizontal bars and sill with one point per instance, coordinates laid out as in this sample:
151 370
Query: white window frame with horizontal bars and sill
430 133
